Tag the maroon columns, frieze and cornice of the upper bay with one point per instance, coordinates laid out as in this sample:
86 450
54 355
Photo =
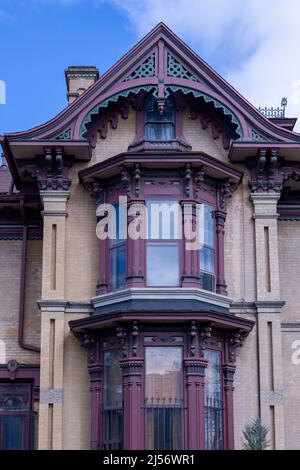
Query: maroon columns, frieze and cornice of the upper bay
188 187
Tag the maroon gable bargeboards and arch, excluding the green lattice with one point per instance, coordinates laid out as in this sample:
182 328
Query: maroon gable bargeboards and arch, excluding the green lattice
159 41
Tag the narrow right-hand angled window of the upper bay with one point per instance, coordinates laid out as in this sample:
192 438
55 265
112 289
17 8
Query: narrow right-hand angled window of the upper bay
207 252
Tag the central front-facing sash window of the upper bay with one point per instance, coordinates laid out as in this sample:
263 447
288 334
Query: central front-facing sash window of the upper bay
162 250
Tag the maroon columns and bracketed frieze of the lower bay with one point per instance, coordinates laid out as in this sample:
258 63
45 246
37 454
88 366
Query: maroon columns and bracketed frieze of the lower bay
130 339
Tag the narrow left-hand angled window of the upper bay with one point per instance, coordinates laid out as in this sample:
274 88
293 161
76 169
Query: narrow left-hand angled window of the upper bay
118 250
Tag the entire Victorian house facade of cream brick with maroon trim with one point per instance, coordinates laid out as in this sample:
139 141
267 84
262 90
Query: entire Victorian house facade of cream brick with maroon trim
138 342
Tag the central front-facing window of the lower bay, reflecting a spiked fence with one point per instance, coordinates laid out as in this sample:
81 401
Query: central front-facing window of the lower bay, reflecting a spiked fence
164 398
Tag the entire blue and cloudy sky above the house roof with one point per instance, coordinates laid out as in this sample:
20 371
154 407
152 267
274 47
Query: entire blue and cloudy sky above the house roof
254 44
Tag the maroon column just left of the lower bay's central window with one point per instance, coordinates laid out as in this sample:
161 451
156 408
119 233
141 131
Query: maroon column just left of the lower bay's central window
133 399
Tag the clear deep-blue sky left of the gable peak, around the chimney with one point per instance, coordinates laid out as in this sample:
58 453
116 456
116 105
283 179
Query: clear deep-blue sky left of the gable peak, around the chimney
38 41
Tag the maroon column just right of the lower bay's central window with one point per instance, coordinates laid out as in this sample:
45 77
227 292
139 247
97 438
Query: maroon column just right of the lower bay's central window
195 385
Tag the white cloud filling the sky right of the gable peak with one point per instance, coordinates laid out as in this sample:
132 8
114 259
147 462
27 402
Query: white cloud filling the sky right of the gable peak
253 43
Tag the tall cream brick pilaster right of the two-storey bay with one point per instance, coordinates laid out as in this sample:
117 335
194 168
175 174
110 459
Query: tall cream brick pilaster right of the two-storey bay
269 307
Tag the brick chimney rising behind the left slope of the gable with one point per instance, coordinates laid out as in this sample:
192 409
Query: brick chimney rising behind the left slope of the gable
79 78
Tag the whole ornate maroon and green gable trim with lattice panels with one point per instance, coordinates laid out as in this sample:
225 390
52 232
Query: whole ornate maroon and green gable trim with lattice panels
160 62
